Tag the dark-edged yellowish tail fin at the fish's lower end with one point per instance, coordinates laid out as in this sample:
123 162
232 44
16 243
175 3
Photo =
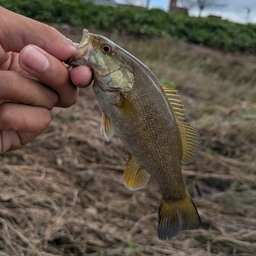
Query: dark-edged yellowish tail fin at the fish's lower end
176 216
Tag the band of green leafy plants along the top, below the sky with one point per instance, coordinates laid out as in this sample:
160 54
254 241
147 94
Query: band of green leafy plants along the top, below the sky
211 32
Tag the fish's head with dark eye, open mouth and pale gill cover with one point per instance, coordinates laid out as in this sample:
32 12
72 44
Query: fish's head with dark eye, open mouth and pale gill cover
110 69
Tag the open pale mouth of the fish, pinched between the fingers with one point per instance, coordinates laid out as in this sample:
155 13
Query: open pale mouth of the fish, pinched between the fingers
83 51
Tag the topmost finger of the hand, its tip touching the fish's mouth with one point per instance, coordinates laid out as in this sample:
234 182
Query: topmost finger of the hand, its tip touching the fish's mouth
17 31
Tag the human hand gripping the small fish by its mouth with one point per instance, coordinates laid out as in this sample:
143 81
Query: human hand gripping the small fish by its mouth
33 78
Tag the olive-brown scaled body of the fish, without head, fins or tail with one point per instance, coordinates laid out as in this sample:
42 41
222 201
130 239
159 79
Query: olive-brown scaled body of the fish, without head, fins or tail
150 135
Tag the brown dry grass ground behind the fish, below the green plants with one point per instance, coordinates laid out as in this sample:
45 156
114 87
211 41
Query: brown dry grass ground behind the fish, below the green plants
62 194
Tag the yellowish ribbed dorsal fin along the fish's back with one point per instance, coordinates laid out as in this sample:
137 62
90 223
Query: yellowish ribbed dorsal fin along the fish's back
189 136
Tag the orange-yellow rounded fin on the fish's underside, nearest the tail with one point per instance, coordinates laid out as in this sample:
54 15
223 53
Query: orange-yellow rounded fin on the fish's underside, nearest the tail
134 176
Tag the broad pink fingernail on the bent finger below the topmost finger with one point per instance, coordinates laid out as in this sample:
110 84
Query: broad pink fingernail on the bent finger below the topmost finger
35 60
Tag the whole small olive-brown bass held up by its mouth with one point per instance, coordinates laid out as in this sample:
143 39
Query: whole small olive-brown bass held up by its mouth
149 119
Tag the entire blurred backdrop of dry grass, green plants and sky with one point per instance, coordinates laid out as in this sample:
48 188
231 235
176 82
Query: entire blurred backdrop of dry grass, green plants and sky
62 194
